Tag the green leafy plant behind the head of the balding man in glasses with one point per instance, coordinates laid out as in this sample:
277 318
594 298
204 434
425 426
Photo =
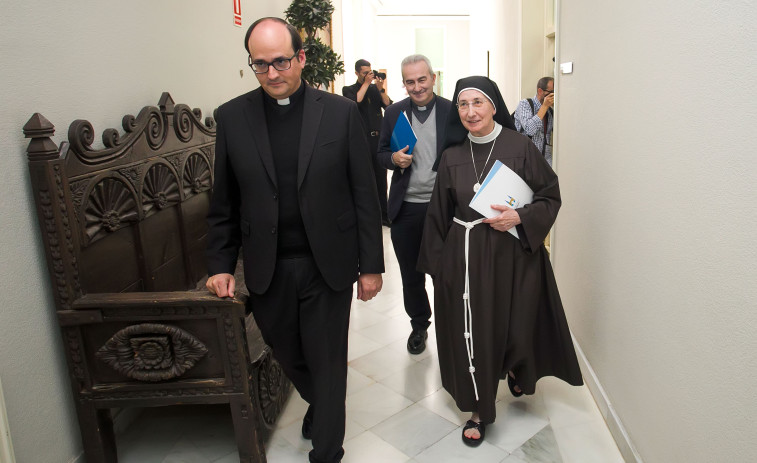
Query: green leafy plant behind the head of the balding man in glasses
322 64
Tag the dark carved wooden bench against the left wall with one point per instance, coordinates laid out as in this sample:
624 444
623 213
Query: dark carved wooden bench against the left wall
124 232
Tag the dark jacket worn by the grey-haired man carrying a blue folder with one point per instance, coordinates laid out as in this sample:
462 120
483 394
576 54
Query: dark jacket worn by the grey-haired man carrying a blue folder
401 179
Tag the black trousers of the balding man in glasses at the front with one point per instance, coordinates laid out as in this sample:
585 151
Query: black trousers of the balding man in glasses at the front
305 322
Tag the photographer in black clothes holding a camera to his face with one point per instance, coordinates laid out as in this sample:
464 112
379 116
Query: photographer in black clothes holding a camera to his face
371 99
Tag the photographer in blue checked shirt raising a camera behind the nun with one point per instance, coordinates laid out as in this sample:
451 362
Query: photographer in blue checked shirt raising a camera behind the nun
534 117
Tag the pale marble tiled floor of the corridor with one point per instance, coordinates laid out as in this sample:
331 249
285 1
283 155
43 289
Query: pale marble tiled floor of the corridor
396 410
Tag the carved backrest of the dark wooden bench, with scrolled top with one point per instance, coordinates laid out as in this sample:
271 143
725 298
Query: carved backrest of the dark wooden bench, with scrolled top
132 214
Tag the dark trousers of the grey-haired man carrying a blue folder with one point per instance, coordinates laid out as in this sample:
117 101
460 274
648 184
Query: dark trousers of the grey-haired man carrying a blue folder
407 231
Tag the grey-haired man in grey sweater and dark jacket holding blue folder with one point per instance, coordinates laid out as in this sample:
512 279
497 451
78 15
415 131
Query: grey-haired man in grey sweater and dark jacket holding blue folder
412 184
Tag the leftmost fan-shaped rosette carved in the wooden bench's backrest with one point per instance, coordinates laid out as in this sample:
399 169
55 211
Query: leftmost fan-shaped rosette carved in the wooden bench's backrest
111 206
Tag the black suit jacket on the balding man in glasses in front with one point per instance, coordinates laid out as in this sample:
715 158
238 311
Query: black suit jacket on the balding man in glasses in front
337 194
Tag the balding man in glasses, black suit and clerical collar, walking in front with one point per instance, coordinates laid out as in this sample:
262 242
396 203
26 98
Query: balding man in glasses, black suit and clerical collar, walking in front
294 188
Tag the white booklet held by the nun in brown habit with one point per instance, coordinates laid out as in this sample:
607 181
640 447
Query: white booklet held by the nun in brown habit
501 186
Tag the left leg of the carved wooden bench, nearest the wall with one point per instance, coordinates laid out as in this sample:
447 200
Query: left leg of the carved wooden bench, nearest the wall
97 434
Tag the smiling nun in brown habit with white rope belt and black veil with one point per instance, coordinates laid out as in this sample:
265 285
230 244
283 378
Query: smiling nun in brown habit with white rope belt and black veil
508 317
